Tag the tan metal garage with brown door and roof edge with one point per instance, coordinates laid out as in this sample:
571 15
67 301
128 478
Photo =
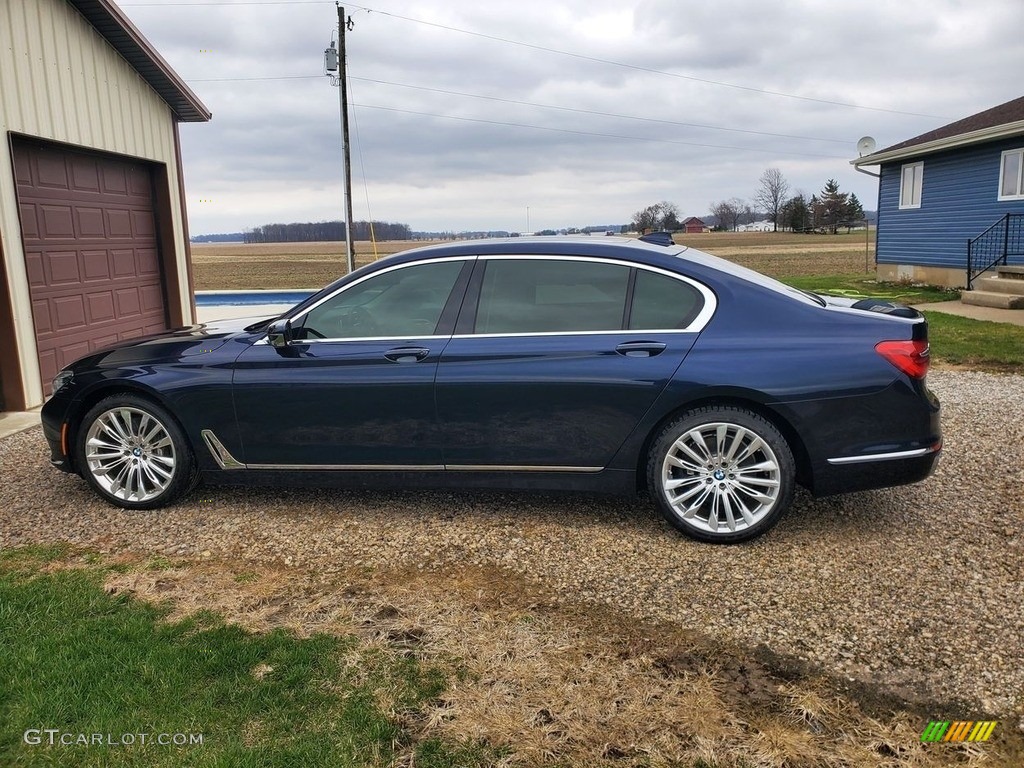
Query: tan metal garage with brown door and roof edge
94 239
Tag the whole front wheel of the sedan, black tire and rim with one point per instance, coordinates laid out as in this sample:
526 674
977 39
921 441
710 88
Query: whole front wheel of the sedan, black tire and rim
134 453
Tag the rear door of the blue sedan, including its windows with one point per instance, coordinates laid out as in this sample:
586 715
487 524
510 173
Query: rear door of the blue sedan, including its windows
557 359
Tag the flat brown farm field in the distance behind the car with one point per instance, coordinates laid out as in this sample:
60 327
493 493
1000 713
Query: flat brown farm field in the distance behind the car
268 266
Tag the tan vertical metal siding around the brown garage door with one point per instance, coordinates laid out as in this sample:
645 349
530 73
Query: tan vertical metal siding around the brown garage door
61 80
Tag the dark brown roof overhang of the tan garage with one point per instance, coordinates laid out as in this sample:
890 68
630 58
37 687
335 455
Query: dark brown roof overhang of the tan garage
130 42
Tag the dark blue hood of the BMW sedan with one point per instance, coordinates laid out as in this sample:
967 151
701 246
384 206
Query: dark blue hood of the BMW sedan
179 345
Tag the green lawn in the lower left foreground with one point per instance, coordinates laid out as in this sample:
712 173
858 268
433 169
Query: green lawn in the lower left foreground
77 660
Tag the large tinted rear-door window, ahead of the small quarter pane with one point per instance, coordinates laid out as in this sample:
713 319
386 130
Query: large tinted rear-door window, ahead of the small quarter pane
550 295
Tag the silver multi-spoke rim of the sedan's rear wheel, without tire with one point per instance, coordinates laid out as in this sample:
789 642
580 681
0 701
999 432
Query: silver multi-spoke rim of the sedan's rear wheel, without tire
720 477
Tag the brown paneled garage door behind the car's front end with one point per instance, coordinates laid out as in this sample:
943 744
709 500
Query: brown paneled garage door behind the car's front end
90 233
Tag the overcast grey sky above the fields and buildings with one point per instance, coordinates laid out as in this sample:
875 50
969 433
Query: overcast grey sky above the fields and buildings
455 125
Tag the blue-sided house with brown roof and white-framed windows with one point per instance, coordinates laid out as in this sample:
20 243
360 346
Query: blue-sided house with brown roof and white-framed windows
954 196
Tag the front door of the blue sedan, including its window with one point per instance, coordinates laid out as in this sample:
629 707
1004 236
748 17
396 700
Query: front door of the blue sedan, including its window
354 387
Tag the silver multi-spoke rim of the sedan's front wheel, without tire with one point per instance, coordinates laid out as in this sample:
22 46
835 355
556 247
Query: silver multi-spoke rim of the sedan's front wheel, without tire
131 454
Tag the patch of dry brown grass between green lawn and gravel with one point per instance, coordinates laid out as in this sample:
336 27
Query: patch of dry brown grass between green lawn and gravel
556 685
